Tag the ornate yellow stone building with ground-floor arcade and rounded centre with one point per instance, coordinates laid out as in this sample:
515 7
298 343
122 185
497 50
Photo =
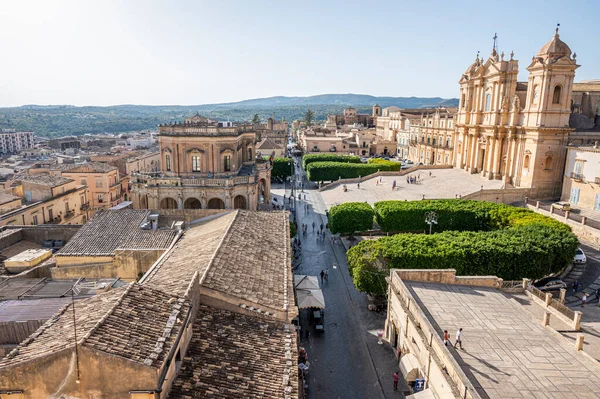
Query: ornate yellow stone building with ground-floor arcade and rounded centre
205 164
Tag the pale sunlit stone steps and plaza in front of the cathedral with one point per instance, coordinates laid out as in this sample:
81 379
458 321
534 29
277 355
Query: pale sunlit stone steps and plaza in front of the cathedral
444 183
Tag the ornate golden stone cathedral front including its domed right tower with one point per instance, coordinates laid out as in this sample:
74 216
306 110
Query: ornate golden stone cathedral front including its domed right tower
517 131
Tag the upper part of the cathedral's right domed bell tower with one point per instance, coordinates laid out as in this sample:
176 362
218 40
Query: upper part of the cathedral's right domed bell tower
550 84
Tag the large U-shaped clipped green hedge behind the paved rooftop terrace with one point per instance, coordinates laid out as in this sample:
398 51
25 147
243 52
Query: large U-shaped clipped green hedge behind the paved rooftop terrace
508 242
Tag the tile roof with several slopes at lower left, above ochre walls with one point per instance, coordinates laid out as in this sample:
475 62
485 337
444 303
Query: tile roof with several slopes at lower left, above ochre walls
132 322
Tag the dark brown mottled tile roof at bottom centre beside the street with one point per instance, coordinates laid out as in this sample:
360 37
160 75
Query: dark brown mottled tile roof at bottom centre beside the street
237 356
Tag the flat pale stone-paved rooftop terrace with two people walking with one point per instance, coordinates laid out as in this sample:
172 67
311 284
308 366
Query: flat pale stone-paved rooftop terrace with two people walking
507 352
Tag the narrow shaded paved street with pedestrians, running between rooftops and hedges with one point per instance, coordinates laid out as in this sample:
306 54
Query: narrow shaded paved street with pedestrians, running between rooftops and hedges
345 359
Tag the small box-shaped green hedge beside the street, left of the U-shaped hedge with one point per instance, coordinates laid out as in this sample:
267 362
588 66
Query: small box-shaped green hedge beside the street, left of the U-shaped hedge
350 217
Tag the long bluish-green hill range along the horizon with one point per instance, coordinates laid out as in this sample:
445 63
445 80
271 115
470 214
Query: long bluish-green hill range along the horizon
64 120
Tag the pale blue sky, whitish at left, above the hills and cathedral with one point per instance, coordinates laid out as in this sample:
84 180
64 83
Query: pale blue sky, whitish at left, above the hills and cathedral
196 52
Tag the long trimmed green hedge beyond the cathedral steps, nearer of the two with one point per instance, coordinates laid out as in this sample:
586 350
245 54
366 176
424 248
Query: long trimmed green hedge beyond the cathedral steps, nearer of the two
330 171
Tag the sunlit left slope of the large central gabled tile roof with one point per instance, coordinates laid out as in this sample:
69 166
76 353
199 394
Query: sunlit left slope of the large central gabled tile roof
192 253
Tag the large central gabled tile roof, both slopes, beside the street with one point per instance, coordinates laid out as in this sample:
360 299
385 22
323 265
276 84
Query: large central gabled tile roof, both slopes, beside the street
242 257
